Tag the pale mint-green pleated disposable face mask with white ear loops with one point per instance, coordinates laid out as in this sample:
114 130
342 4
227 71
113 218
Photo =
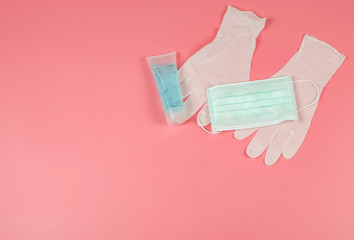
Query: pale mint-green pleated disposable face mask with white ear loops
251 104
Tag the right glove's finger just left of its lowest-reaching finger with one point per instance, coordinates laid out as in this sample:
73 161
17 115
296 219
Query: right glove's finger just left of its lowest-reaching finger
260 141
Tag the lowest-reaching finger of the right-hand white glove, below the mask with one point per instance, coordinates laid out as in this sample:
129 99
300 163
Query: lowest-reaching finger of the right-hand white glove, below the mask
276 147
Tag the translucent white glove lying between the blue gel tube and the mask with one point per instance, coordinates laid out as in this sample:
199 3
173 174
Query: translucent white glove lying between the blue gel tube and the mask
227 59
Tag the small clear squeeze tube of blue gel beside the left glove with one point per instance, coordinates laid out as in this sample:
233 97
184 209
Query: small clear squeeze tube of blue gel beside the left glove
164 69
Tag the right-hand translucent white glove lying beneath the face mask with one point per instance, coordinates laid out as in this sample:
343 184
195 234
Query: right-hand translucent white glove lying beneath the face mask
316 61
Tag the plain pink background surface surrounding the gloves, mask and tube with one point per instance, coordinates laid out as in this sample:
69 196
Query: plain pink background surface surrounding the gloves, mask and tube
85 152
